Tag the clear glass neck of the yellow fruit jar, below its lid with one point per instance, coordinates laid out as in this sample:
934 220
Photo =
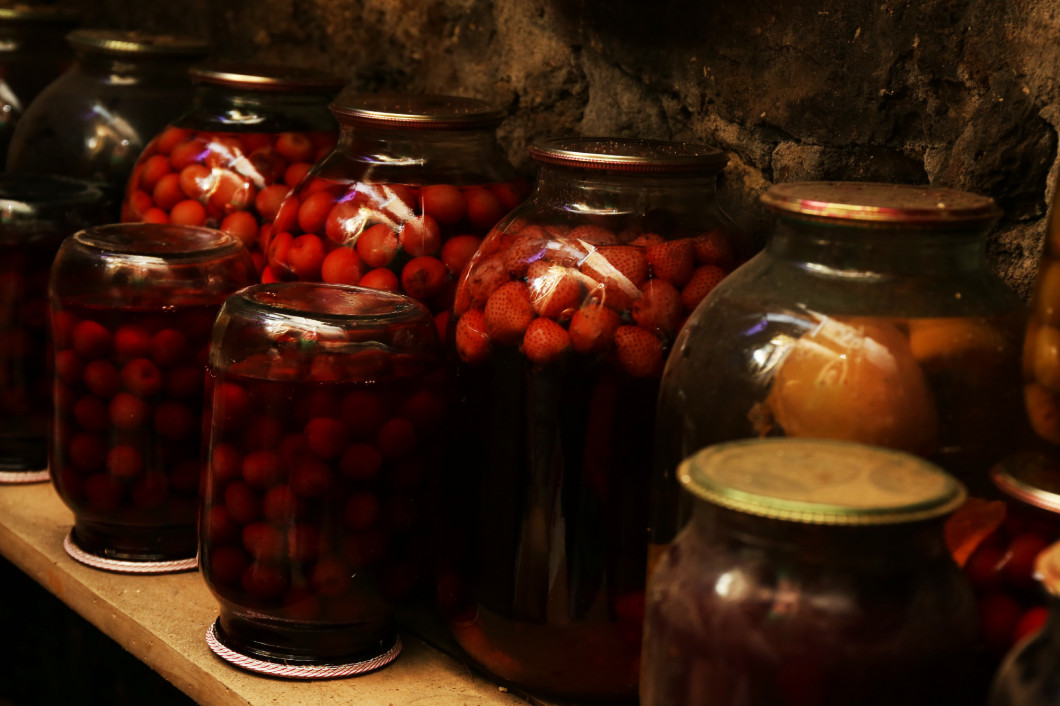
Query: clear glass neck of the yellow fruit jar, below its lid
880 249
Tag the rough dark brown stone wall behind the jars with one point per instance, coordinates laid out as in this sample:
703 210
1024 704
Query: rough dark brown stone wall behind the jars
962 94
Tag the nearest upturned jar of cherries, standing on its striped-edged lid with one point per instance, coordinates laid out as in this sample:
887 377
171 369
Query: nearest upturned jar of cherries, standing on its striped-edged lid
325 420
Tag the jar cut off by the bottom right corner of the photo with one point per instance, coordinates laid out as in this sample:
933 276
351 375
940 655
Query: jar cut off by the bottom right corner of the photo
1029 676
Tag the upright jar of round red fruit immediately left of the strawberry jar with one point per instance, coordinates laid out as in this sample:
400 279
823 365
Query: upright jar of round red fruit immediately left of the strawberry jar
402 203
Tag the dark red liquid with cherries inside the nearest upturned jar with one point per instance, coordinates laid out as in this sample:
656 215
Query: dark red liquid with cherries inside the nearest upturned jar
316 504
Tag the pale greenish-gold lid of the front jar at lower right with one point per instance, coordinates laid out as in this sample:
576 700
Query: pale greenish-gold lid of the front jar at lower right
821 483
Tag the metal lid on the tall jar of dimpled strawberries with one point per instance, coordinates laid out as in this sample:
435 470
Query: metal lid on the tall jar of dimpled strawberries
630 155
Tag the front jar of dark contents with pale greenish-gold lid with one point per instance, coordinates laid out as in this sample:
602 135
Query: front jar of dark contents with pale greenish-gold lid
812 573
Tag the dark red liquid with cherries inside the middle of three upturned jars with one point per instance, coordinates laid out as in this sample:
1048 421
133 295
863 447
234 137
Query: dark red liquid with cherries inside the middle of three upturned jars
129 409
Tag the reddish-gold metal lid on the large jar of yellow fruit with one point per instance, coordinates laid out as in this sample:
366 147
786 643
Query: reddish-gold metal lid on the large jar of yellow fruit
880 203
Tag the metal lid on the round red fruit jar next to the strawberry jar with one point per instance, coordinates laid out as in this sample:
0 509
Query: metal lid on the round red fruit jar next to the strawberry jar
410 112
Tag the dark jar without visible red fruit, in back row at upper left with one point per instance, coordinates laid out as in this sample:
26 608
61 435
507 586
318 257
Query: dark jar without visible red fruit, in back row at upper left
94 121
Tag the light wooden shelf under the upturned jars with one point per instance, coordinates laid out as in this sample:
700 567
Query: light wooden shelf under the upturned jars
163 621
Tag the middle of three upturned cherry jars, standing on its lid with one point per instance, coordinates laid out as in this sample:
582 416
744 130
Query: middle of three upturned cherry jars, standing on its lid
133 309
